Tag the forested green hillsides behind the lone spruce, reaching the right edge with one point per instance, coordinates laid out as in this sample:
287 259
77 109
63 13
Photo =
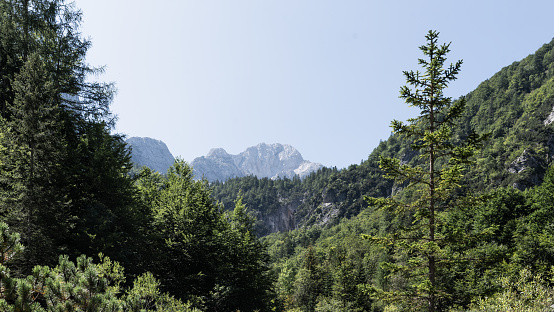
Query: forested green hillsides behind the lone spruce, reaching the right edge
499 241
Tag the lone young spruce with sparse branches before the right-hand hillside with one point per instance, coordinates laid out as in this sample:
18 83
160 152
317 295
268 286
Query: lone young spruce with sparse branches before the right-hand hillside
420 248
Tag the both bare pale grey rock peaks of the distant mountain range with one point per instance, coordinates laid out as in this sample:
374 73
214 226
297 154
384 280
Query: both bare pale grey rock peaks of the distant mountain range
263 161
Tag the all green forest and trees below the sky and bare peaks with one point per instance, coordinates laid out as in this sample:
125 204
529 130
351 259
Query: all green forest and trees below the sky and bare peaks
453 212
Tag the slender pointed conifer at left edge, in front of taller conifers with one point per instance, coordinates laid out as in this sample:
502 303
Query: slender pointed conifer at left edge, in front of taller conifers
32 159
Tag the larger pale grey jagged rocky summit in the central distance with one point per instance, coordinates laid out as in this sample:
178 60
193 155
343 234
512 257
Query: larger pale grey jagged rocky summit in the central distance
263 160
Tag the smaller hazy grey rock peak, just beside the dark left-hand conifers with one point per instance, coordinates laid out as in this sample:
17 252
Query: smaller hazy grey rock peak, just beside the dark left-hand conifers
151 153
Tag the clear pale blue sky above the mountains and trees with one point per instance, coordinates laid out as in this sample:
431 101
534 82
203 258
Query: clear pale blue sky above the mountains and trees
323 76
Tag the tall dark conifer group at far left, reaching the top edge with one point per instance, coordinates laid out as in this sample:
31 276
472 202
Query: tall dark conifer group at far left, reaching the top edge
63 173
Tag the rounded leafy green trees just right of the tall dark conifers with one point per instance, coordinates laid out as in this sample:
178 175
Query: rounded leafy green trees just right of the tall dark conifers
200 253
